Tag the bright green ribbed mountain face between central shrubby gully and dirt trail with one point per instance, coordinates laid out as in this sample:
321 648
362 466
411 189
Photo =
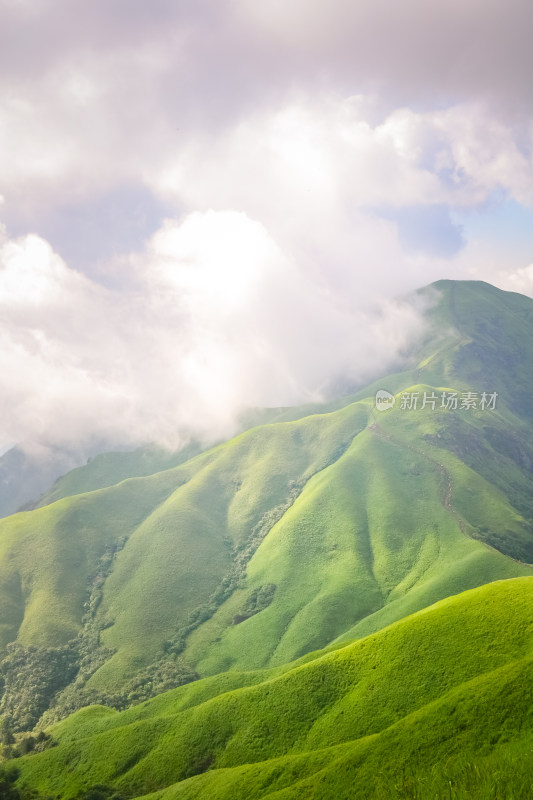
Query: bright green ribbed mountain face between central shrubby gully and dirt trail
351 556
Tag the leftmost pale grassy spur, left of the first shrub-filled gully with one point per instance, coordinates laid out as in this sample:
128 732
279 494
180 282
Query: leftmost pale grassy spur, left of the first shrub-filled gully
47 555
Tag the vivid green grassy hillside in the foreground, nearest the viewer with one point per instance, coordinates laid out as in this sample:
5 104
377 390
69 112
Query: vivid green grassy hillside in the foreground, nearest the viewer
427 707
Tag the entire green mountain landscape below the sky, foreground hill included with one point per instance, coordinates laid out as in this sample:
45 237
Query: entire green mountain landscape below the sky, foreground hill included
335 603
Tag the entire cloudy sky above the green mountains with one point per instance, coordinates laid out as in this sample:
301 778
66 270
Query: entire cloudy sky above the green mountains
212 205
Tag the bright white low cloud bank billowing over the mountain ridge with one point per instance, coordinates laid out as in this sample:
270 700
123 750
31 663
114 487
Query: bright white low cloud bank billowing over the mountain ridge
215 319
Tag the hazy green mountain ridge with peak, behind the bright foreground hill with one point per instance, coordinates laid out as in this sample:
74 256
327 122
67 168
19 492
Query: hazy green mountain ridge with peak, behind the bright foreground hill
298 534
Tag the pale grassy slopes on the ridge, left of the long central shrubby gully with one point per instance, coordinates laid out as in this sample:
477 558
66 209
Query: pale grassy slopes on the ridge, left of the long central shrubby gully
180 528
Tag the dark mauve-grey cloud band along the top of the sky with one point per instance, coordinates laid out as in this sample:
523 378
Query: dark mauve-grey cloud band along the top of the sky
410 53
